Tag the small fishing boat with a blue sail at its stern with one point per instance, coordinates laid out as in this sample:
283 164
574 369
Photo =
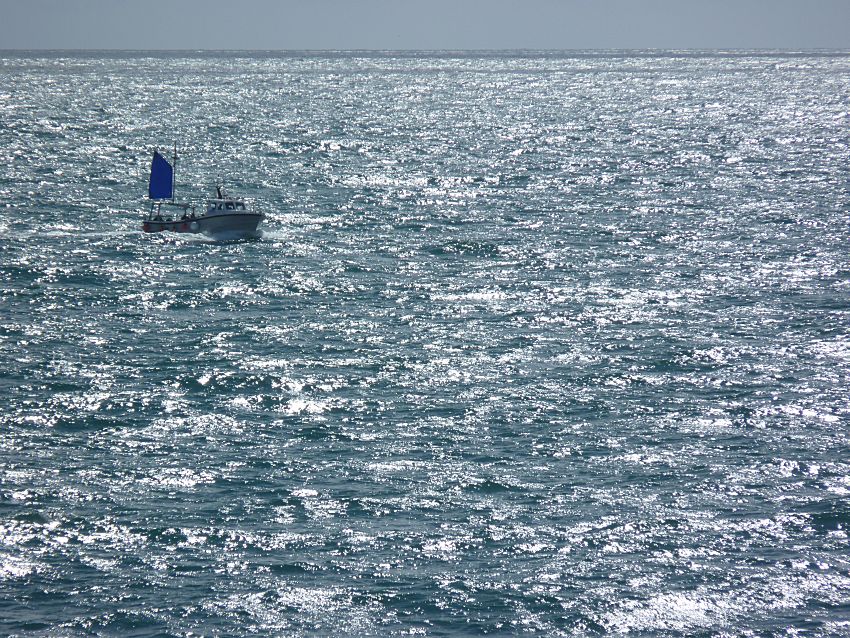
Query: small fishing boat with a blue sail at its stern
222 217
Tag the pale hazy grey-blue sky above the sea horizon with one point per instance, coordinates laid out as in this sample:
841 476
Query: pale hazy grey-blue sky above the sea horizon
424 24
